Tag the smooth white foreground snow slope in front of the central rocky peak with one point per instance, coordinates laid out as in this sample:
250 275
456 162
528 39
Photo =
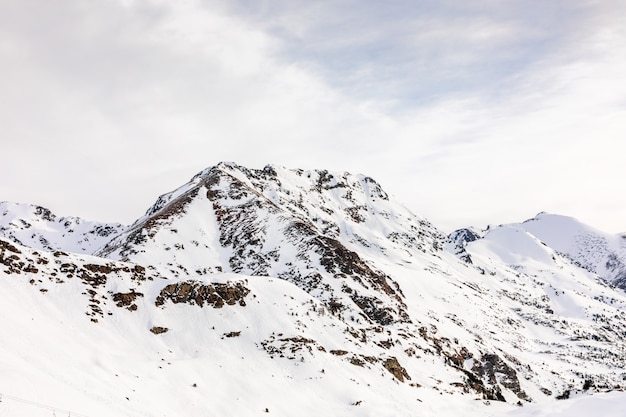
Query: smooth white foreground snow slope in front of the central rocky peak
238 359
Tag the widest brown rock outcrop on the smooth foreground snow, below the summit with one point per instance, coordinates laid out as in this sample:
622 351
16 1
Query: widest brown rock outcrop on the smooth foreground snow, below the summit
215 295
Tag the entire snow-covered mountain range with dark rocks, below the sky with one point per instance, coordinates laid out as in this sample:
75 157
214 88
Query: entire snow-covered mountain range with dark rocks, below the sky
282 291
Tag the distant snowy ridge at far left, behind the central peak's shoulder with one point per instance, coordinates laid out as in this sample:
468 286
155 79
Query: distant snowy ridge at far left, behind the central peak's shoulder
39 228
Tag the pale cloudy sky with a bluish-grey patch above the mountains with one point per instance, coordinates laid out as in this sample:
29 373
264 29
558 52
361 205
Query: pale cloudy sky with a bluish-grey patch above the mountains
470 112
